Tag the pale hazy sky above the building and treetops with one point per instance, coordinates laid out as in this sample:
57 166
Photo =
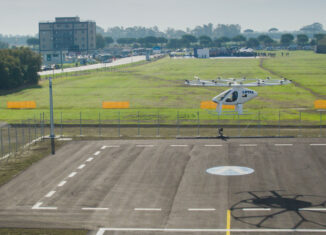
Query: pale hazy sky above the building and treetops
22 16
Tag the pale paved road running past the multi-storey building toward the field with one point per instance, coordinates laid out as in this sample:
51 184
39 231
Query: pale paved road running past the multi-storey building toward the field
122 61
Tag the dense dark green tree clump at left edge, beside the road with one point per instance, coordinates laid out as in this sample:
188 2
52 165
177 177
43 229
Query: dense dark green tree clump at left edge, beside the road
18 67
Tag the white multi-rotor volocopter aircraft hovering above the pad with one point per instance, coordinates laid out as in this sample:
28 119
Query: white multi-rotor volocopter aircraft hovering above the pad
238 94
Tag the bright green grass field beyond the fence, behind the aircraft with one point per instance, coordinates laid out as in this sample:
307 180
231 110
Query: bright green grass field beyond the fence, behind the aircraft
159 86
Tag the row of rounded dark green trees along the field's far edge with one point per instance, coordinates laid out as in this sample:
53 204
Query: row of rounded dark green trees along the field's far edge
188 40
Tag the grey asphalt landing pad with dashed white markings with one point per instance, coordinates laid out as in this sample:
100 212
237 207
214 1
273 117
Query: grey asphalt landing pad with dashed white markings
159 186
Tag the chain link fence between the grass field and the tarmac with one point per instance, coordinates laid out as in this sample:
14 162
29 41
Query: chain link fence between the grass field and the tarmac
19 136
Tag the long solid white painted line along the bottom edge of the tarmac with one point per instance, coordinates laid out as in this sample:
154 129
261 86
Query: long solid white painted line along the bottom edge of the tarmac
101 231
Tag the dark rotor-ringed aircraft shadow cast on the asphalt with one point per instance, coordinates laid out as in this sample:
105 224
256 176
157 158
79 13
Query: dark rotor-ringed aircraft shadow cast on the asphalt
280 209
